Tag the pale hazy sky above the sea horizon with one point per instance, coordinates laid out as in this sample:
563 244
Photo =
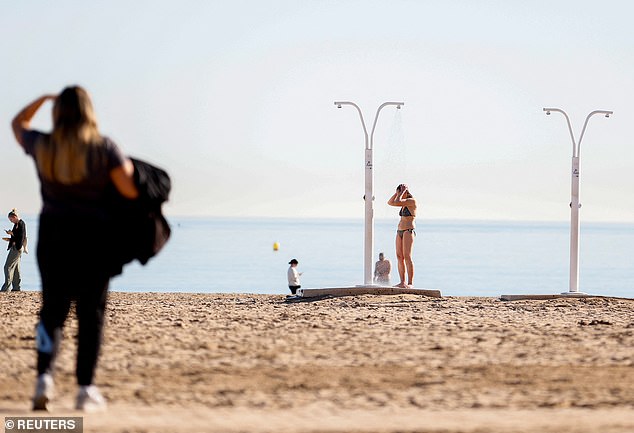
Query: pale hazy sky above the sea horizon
235 100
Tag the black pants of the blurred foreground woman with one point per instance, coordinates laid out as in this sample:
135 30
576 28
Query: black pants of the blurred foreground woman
71 274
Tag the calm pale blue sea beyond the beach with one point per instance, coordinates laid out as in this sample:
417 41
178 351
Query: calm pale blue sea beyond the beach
214 255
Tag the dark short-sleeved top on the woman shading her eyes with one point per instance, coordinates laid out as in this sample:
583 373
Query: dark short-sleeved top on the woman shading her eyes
87 198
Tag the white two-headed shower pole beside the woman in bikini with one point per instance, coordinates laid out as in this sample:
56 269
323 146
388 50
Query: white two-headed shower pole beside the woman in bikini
369 189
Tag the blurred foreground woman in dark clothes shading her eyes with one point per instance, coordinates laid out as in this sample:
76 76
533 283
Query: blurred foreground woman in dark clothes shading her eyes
77 167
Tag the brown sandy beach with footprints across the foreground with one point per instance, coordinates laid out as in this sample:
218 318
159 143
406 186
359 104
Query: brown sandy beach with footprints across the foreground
404 363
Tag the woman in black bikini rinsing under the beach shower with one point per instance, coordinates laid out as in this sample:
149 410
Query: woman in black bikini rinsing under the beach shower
405 234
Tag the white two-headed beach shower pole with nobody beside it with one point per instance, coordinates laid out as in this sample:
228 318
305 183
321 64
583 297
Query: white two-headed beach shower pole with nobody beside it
575 204
